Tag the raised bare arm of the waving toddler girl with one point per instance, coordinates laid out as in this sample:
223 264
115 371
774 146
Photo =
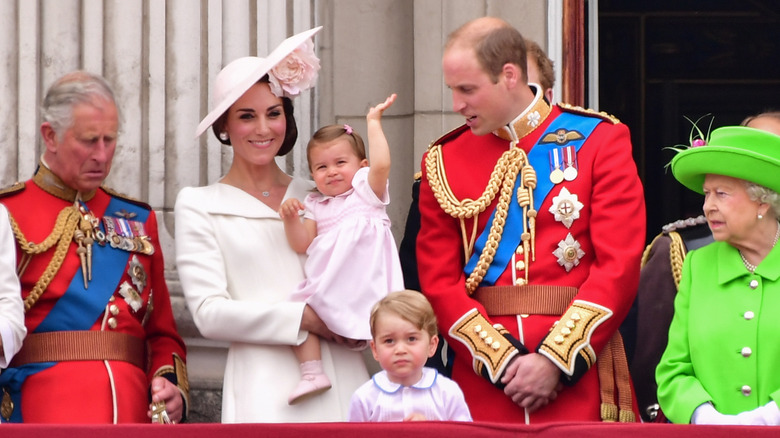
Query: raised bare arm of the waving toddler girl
378 149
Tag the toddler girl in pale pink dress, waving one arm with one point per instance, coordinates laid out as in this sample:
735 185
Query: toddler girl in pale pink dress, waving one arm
352 257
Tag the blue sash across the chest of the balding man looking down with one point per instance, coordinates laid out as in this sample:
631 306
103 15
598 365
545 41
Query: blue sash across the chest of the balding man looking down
538 158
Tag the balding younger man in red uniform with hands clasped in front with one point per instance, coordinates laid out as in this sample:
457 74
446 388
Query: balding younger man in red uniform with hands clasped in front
532 228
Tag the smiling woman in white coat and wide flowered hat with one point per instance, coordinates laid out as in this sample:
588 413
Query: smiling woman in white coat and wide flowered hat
235 265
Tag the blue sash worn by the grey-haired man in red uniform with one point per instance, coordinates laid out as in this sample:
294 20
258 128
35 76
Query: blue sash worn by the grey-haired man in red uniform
78 308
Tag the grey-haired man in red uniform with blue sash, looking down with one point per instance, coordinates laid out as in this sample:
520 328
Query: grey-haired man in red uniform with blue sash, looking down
102 344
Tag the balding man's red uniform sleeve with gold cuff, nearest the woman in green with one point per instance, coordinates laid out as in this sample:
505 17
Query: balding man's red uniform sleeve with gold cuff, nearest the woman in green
617 233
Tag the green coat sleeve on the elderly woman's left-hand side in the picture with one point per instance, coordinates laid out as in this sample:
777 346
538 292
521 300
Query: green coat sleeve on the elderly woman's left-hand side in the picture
679 391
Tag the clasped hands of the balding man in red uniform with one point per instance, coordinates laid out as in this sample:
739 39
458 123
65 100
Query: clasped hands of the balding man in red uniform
532 381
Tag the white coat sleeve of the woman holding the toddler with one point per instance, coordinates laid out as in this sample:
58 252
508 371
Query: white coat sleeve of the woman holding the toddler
201 265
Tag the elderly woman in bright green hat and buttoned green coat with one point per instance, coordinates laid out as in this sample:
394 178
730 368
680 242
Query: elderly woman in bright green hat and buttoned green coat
720 365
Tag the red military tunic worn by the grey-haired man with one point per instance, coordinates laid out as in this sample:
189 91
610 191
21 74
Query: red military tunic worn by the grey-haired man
135 302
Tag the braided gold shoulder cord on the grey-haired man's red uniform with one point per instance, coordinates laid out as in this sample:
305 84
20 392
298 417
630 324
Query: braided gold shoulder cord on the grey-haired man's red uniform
64 227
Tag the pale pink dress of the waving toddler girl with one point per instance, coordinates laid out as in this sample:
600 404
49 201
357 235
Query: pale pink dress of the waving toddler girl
353 262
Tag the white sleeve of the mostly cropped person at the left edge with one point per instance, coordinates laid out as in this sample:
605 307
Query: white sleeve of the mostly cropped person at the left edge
12 328
